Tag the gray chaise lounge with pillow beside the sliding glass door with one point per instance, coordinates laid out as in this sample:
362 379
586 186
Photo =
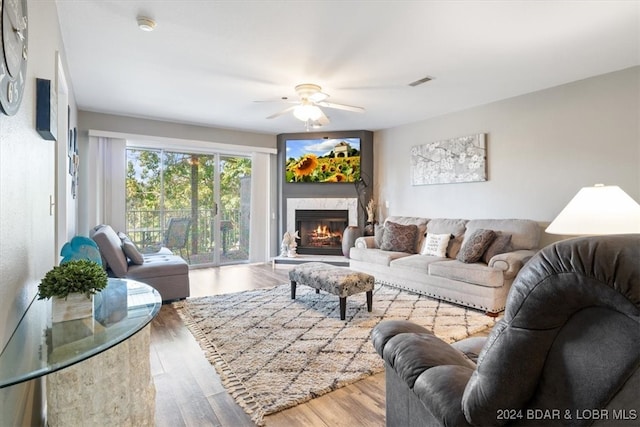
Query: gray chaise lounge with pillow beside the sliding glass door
166 272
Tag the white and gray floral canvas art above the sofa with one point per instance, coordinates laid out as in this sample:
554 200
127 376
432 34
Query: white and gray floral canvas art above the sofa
462 159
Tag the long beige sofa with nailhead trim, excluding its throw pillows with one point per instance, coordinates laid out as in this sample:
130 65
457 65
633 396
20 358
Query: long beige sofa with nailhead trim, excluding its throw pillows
480 285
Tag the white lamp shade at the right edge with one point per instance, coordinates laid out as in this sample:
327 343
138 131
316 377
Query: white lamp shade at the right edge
598 210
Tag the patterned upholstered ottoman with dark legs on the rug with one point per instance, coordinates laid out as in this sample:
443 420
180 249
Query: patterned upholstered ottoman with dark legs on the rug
339 281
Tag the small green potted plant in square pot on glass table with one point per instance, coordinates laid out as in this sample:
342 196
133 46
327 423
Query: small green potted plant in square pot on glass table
71 286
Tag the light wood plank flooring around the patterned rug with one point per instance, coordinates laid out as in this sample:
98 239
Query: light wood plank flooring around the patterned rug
189 391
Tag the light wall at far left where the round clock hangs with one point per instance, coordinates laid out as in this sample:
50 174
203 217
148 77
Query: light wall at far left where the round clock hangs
27 230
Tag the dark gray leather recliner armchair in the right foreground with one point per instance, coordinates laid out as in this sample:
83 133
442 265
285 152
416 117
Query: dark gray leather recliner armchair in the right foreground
566 352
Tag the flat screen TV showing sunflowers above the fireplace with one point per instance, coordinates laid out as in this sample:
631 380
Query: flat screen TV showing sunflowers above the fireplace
322 160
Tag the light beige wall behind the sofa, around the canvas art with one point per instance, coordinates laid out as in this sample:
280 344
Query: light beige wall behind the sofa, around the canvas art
541 149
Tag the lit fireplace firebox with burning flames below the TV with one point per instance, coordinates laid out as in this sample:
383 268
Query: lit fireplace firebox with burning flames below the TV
320 231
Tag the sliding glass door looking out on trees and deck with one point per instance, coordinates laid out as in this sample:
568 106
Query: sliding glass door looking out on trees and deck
196 204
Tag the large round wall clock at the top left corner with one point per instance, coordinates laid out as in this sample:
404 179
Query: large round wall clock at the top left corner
13 61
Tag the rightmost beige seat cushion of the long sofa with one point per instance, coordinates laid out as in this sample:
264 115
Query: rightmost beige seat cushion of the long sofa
476 274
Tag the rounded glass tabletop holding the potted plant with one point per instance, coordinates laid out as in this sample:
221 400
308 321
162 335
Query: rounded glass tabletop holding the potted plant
39 347
